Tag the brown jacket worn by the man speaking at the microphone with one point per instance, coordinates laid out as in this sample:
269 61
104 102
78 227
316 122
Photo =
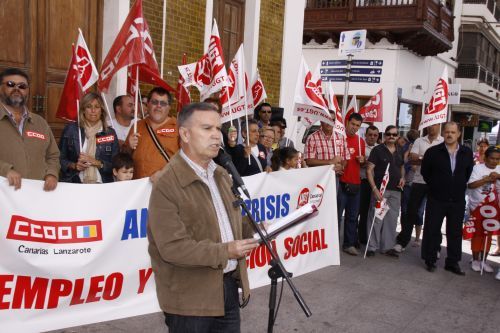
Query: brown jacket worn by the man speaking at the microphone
185 246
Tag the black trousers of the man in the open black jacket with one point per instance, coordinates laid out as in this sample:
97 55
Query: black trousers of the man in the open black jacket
435 212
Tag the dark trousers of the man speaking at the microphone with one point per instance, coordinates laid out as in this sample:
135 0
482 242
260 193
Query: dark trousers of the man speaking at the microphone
230 322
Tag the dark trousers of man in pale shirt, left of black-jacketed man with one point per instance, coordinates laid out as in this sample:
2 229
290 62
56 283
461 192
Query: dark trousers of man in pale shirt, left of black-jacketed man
417 195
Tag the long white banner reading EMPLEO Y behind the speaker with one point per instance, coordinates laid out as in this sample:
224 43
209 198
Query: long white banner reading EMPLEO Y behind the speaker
78 255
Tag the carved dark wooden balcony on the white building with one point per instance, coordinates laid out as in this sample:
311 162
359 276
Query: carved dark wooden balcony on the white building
423 26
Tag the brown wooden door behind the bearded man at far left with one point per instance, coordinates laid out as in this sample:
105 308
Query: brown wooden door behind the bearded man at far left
37 37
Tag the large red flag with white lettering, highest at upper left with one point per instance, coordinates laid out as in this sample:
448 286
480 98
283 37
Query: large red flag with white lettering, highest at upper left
133 45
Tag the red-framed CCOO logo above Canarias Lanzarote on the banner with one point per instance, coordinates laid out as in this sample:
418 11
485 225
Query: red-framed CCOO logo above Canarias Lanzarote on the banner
23 228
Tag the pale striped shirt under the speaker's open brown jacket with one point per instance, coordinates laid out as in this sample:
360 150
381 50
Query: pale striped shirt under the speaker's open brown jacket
207 176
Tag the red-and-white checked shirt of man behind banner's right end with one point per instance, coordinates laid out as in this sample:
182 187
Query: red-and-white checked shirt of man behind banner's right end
321 147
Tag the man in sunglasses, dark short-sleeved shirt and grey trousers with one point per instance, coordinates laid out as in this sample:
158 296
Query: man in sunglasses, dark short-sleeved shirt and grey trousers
383 235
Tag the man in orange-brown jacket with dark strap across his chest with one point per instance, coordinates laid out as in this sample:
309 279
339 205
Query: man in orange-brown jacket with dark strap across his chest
157 139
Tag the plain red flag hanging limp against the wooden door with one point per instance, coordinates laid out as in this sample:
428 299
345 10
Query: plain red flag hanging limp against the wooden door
67 108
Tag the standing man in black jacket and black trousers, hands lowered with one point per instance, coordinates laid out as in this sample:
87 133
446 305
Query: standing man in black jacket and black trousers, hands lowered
446 168
